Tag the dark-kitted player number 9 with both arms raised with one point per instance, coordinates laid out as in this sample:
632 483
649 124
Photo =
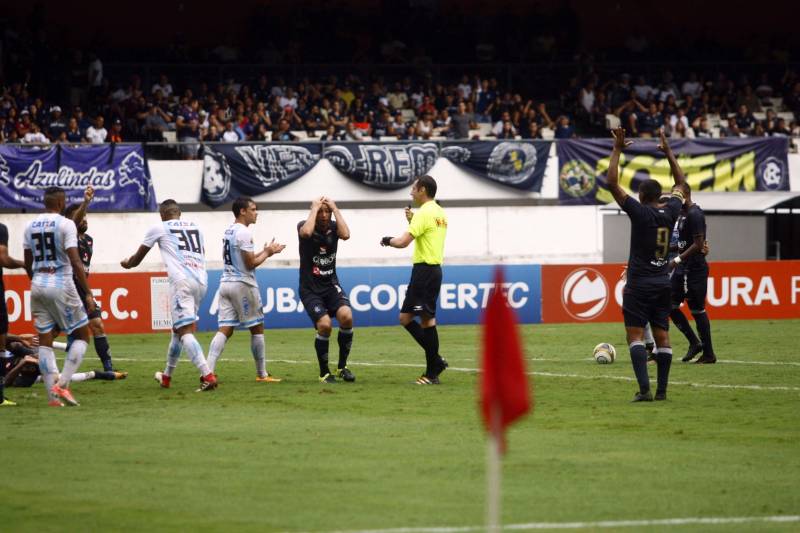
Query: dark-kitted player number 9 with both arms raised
646 297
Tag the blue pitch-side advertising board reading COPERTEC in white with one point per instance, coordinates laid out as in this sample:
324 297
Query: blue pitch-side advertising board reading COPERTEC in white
376 295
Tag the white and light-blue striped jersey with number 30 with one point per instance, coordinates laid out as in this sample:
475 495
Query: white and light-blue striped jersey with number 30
181 246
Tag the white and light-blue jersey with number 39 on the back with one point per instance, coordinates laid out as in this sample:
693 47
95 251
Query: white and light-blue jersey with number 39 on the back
48 237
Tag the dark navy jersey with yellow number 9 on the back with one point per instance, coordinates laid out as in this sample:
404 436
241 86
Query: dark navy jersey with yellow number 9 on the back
651 228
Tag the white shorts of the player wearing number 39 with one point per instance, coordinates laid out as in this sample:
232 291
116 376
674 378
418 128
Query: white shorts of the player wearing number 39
57 307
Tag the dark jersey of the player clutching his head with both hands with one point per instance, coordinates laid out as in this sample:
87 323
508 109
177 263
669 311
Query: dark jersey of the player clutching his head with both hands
318 258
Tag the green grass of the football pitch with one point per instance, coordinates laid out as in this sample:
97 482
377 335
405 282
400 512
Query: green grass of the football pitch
382 453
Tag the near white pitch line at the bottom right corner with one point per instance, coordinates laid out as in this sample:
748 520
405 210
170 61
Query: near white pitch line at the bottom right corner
605 524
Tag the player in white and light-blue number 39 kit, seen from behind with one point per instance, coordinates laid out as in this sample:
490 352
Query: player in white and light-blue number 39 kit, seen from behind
53 263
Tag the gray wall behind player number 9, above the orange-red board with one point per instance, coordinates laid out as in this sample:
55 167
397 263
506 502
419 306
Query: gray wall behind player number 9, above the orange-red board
731 237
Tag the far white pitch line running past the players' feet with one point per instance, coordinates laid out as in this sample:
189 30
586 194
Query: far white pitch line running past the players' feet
475 370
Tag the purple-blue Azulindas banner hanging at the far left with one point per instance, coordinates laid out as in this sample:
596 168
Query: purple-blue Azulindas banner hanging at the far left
119 174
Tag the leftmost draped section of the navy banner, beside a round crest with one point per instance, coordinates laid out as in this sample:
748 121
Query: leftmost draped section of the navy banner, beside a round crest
231 170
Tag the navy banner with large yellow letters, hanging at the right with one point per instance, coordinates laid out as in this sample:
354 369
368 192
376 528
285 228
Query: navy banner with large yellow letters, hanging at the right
740 164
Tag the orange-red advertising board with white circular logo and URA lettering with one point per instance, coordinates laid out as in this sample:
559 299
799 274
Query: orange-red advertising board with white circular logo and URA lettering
736 290
